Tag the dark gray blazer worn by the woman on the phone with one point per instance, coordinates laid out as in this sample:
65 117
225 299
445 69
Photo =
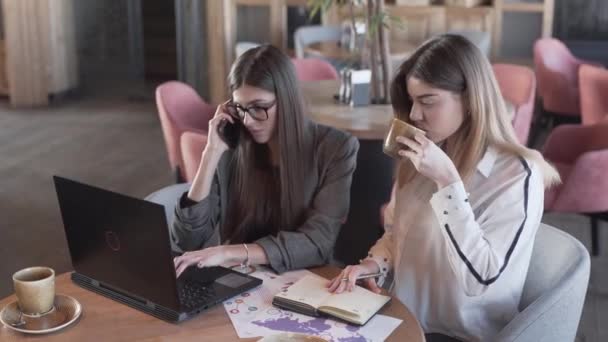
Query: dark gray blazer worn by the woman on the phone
310 243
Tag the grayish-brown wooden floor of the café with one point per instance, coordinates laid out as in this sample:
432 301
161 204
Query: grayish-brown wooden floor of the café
117 144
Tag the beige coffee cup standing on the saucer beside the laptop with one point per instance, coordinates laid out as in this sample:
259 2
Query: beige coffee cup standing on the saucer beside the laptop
35 290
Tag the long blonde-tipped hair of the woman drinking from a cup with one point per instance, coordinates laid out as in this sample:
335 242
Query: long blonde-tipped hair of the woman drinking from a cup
452 63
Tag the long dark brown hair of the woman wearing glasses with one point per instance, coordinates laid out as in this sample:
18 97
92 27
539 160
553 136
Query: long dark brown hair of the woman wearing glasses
262 199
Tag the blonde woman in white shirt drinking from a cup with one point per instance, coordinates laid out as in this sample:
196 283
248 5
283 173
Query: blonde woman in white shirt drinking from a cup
468 199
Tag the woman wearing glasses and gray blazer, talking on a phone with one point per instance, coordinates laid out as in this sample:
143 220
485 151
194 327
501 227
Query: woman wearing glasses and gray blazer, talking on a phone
280 196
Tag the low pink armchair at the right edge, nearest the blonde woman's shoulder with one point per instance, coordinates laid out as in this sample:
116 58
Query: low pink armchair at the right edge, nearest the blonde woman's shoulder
580 154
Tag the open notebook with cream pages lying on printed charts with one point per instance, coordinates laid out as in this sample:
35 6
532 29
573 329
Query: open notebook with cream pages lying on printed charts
310 296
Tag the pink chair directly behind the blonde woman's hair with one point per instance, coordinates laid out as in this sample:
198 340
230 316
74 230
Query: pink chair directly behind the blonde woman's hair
518 86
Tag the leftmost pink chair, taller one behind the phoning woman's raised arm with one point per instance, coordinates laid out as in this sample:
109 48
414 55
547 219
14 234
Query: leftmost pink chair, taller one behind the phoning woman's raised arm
180 108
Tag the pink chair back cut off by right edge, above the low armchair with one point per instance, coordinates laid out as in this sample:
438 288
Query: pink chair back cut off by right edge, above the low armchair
593 93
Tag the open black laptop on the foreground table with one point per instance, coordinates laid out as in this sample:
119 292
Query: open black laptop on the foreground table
120 248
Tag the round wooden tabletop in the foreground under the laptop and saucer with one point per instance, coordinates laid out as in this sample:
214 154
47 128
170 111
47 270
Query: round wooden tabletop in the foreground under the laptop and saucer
106 320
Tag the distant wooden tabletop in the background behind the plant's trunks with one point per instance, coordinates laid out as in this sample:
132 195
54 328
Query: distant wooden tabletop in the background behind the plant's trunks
332 50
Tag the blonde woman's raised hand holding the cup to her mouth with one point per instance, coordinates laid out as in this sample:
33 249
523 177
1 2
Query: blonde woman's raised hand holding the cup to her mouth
429 160
